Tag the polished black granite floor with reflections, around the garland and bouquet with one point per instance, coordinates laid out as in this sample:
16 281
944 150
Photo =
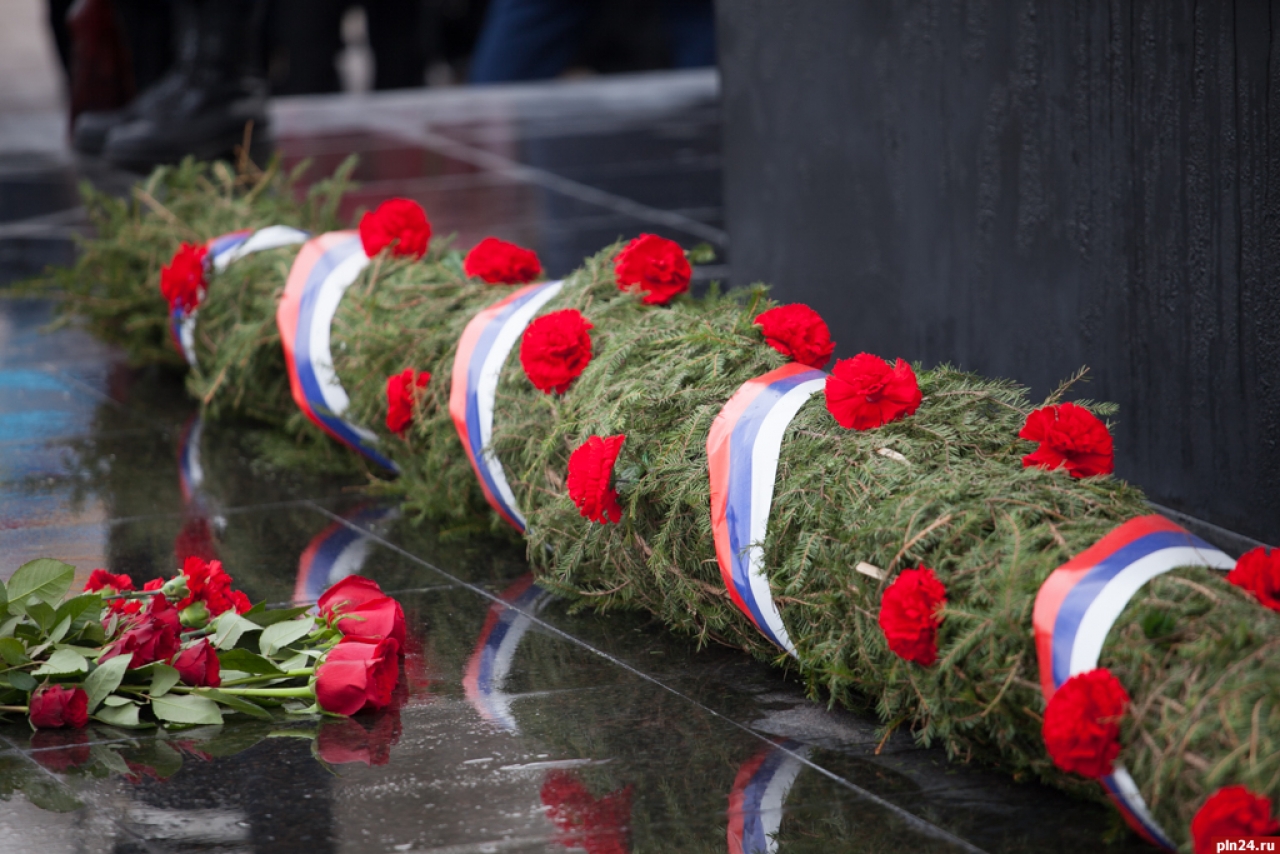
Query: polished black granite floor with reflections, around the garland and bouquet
524 727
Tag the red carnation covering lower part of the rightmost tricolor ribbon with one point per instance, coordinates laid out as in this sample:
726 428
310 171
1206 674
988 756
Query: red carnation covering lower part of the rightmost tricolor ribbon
1082 724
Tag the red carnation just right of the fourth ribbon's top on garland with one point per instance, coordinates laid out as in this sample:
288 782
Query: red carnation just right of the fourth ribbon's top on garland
865 392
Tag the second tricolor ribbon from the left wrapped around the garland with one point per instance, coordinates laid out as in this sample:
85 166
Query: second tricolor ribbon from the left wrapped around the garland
322 273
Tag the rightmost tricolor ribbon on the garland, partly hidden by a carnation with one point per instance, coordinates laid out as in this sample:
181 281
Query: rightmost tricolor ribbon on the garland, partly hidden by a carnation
1081 601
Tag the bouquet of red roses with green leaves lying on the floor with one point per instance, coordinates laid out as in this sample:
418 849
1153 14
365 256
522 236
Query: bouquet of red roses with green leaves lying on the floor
189 651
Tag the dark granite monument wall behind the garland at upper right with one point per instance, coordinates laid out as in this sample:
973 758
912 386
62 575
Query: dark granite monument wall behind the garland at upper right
1025 188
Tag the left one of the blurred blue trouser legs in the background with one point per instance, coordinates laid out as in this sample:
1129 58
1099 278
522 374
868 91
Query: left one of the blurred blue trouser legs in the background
528 40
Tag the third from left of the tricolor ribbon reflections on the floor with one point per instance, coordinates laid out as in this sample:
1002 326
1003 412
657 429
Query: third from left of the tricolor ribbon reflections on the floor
505 628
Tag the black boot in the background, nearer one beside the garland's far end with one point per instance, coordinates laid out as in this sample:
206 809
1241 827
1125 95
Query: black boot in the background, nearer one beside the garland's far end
221 94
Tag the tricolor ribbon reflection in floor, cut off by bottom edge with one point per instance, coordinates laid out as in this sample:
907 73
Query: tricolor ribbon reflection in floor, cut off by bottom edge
758 797
